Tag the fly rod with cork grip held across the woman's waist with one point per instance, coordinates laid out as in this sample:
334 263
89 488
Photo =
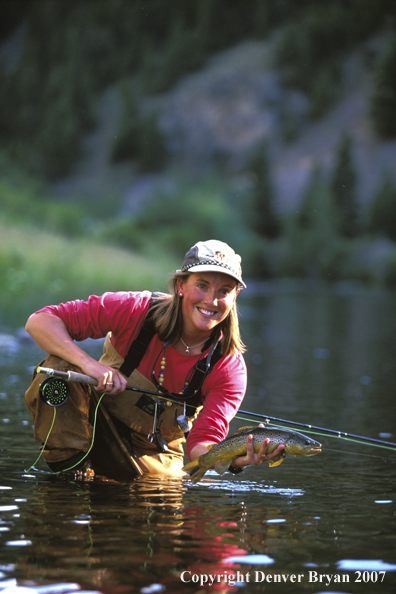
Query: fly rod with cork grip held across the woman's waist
73 376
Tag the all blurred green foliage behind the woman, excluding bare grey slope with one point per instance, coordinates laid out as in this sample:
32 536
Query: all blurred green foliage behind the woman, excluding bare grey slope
73 51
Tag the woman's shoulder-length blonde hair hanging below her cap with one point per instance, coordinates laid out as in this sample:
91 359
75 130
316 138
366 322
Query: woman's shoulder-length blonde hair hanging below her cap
167 316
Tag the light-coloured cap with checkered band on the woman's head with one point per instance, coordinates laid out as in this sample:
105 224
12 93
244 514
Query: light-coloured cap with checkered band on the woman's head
213 256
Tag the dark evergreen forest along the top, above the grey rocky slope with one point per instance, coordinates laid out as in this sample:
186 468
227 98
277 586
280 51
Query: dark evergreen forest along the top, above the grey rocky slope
73 49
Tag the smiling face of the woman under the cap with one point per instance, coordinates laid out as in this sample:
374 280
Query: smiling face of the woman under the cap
207 300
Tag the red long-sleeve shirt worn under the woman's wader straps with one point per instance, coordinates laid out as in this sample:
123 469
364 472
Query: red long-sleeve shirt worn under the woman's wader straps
122 314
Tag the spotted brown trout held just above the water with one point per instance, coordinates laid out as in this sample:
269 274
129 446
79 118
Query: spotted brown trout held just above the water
221 454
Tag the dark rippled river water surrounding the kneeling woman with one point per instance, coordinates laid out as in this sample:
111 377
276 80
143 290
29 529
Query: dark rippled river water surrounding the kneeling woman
316 355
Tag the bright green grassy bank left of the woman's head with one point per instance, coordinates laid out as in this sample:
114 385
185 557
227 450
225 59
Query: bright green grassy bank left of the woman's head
38 268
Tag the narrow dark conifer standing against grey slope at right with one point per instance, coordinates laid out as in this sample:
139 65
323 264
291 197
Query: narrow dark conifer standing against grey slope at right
343 190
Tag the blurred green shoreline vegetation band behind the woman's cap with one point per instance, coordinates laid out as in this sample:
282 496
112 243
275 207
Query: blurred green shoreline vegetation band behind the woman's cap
52 251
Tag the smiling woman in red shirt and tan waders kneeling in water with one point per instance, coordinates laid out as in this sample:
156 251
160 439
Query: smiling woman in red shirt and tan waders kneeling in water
192 359
